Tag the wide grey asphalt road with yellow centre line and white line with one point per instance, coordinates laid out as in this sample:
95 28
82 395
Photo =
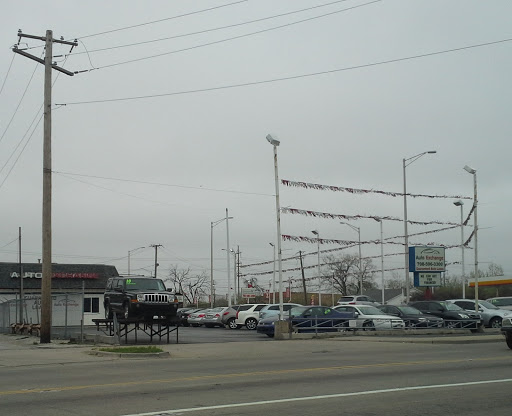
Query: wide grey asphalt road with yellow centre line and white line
320 377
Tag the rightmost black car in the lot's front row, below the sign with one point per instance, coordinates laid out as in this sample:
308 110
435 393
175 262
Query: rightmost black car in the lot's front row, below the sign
453 315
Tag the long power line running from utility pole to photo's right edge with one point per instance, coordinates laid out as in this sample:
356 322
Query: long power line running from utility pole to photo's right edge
293 77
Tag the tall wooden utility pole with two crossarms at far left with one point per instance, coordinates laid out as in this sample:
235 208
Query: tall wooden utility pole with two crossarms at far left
46 283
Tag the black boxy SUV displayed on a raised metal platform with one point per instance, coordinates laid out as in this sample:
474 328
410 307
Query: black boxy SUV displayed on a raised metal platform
139 297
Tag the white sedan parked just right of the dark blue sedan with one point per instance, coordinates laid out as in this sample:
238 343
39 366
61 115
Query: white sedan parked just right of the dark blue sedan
370 318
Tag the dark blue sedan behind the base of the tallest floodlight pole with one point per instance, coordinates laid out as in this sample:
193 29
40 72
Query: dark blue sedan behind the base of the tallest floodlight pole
308 318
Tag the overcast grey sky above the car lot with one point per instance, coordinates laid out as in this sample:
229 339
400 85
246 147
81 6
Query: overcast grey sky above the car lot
346 104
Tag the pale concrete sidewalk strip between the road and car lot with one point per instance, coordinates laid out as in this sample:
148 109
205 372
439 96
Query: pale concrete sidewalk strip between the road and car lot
24 350
